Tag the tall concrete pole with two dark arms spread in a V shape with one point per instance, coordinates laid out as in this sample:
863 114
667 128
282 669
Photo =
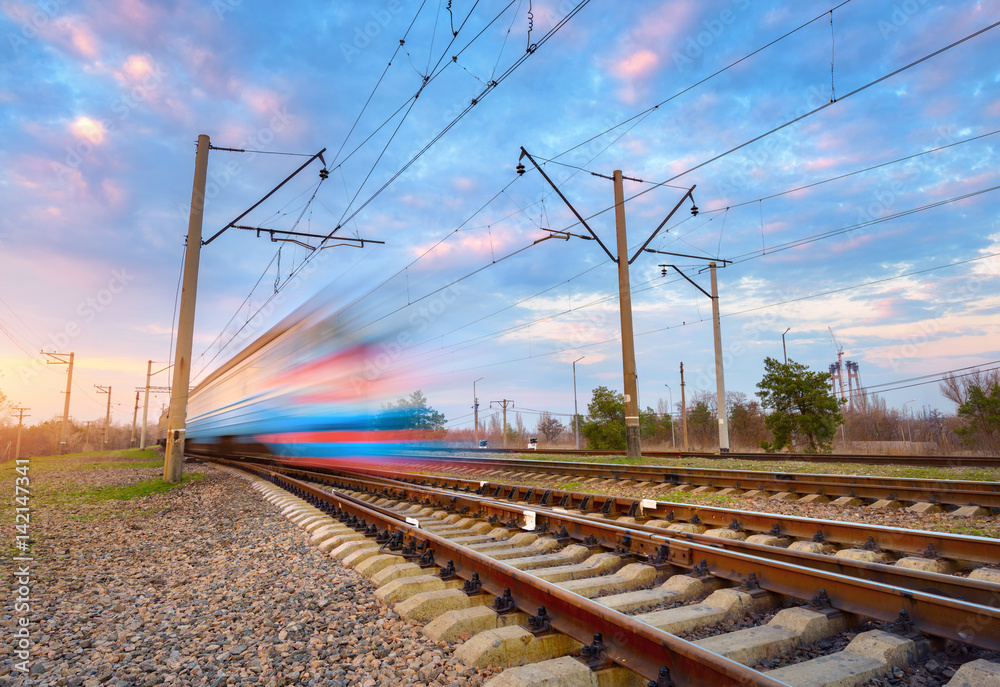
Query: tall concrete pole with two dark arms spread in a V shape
629 377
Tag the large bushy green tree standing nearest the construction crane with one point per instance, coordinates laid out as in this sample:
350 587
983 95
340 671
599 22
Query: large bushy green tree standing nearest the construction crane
801 406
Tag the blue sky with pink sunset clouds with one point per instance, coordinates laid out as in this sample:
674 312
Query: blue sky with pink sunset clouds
845 167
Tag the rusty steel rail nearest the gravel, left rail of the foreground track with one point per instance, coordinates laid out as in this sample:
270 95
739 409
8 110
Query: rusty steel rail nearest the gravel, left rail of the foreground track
629 643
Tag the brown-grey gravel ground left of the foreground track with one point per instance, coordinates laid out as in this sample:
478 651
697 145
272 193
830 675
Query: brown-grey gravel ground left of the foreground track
206 584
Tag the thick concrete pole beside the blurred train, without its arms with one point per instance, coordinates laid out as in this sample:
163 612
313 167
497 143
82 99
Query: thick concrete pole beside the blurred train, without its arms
173 462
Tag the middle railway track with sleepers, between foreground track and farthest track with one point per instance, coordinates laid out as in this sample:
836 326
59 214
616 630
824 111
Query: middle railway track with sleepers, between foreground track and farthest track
925 495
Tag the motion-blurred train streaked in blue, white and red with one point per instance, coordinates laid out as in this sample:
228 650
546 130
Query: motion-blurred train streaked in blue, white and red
304 392
